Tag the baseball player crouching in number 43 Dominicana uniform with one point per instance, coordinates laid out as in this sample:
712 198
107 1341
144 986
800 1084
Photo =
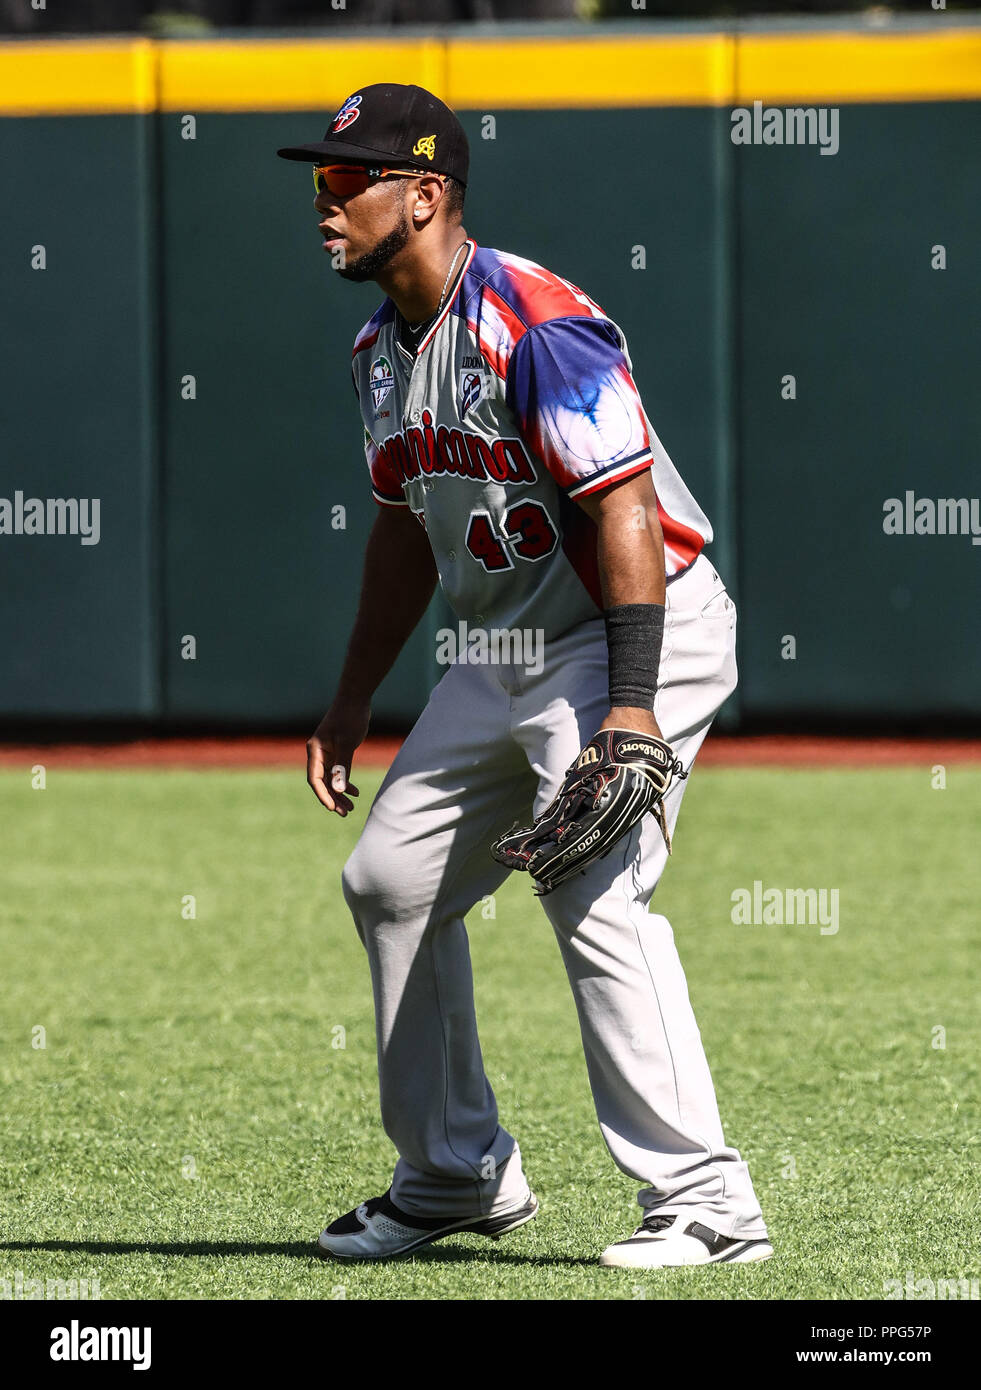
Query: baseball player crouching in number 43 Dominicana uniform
513 464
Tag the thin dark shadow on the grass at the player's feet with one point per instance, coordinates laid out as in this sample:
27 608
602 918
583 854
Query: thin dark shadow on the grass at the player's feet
292 1249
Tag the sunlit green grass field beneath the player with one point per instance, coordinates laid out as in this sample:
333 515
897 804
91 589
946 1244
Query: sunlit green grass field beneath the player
191 1125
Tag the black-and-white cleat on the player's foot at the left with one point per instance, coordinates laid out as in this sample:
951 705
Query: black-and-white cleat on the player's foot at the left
381 1231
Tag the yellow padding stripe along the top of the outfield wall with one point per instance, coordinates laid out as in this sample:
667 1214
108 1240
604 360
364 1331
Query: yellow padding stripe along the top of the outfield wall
601 70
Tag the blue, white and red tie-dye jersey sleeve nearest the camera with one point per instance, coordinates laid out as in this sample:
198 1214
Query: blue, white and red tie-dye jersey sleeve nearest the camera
577 407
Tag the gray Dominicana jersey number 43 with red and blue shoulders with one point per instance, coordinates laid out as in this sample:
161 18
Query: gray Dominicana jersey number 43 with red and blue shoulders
518 401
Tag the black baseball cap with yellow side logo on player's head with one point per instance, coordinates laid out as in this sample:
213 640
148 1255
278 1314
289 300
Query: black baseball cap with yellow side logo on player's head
394 124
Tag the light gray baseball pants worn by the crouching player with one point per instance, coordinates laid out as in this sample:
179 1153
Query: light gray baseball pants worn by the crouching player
493 740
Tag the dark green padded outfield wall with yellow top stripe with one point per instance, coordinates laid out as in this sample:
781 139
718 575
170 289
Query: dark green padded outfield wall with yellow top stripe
804 330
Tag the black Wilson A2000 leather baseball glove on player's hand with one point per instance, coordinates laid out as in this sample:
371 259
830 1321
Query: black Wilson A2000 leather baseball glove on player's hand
616 780
